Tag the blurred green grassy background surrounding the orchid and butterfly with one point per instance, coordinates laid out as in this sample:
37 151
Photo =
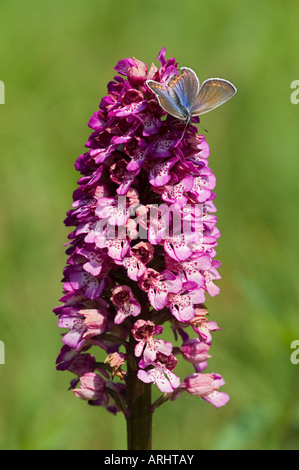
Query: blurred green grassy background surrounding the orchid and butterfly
56 59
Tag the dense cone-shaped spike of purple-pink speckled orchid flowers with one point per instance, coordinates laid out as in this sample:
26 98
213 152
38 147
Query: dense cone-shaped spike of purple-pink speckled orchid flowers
143 248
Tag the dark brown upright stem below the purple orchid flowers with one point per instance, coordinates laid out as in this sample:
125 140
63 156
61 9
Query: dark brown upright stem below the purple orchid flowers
139 417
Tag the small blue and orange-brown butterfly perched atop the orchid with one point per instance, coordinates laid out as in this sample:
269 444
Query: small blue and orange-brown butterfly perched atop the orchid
183 97
